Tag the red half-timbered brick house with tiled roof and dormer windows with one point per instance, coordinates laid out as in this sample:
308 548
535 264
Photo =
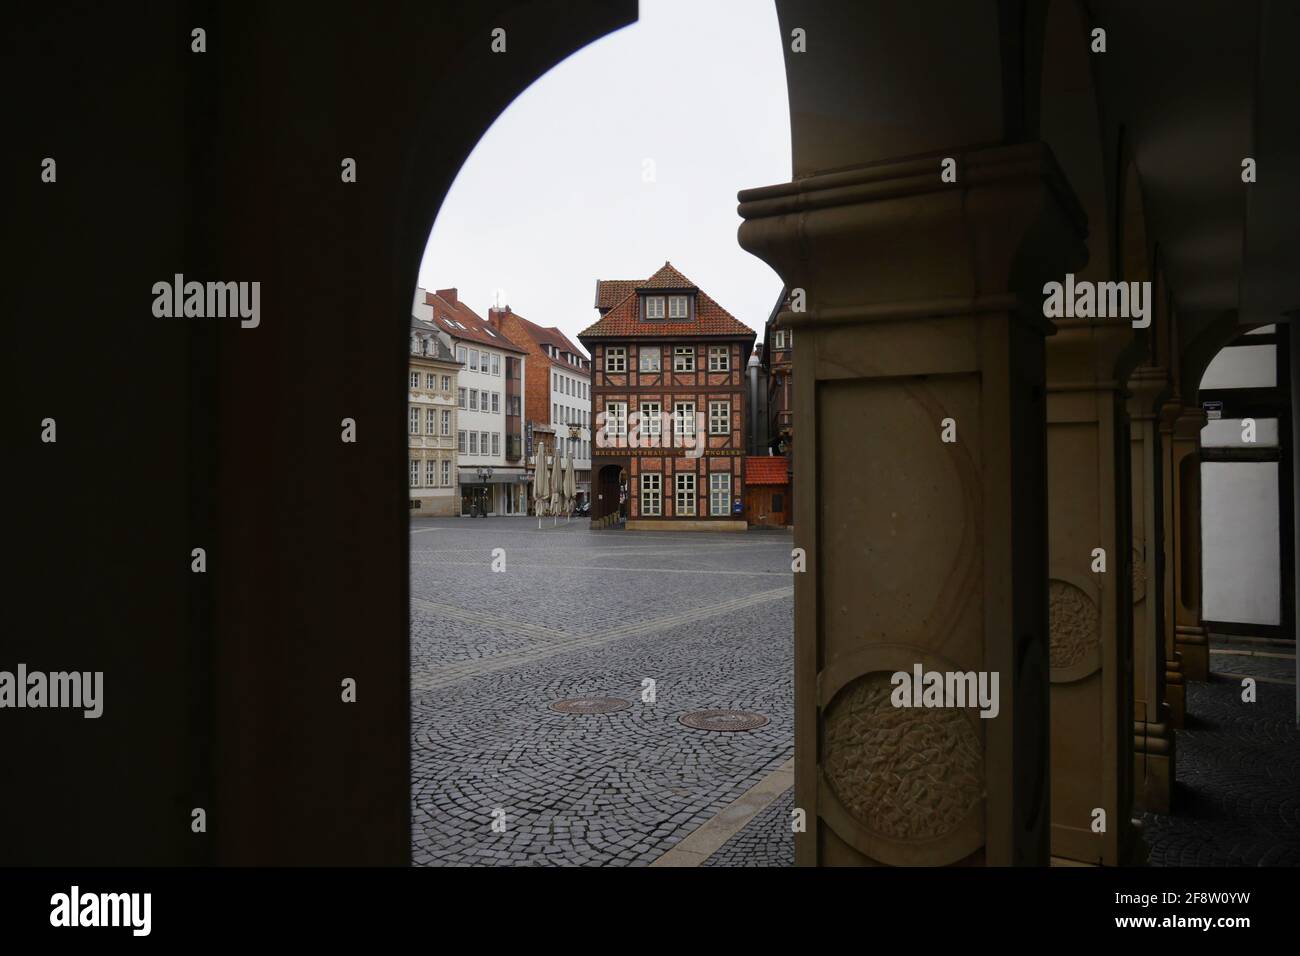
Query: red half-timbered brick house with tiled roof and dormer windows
669 404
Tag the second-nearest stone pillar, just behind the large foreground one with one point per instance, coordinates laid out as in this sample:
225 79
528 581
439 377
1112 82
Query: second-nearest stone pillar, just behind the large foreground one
1091 609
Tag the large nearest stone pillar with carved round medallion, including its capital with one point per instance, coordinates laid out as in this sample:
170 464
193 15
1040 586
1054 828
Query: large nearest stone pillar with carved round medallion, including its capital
925 310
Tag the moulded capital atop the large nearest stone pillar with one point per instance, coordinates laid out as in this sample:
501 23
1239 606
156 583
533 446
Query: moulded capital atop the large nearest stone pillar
894 241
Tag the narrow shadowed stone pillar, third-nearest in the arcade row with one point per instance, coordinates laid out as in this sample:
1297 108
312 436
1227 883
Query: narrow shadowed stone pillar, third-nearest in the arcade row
1154 736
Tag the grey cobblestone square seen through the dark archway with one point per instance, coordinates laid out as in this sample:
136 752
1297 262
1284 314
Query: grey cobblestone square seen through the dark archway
582 613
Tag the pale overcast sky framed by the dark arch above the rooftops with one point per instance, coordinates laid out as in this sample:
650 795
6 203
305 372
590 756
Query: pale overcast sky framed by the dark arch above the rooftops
554 196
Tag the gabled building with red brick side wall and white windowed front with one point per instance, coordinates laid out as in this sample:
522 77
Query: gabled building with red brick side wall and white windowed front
557 395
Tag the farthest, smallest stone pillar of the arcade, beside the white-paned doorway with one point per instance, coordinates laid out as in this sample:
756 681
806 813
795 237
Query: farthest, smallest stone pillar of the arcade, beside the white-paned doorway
1190 638
